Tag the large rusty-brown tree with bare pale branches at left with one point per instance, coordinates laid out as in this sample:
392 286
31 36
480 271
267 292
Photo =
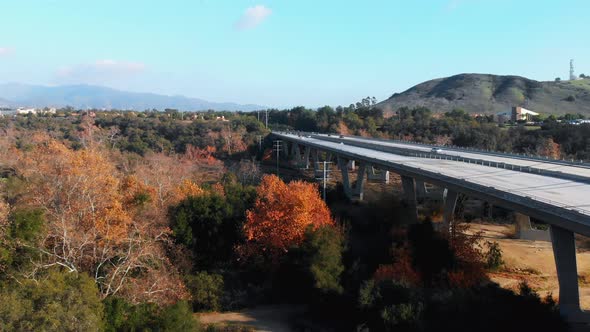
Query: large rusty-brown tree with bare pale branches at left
97 223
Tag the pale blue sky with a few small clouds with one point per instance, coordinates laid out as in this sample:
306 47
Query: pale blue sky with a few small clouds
282 53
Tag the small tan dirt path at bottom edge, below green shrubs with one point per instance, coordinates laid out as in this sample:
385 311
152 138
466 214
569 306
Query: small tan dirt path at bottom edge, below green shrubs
275 318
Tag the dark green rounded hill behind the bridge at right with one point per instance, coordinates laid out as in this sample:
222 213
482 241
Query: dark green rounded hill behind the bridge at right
483 93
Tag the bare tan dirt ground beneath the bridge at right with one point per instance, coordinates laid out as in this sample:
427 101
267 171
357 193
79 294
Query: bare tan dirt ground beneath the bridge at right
532 261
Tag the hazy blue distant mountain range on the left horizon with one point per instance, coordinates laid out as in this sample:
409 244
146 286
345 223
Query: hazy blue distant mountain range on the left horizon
89 96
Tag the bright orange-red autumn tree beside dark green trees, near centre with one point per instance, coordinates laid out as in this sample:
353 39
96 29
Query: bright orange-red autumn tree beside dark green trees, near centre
281 214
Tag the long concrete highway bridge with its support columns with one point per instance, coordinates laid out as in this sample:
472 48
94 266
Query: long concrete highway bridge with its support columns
556 192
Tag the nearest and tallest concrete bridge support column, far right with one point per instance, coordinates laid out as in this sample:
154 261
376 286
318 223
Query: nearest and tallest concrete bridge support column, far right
564 251
